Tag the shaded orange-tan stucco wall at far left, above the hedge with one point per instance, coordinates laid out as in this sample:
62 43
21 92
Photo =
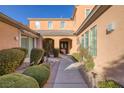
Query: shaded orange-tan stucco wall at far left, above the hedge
8 36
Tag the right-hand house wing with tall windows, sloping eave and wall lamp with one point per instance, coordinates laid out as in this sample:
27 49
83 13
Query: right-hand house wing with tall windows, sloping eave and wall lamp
102 33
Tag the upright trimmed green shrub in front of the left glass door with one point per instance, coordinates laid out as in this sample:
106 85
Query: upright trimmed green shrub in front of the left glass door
36 56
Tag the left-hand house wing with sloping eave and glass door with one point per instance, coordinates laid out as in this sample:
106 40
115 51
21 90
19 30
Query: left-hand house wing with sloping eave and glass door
15 34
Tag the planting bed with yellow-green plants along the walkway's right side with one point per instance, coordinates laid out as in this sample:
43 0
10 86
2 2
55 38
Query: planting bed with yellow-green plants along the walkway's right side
87 71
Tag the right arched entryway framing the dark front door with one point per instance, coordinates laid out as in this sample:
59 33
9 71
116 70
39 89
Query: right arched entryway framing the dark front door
65 44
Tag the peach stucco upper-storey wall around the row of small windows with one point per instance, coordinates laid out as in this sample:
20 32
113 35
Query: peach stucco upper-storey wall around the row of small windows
71 24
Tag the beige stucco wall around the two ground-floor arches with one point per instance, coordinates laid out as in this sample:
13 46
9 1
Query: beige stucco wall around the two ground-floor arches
57 39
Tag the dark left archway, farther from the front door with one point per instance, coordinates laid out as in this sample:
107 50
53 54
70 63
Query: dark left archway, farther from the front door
48 45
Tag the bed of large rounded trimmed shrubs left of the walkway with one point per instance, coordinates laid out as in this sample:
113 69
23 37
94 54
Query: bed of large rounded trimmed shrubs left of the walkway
12 60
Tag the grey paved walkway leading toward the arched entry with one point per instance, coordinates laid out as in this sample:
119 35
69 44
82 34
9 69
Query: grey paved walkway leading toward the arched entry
65 78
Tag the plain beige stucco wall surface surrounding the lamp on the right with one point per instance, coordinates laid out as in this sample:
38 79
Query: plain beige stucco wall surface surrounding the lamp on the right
110 47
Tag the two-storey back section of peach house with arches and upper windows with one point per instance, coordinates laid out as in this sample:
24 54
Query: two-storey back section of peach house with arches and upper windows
60 31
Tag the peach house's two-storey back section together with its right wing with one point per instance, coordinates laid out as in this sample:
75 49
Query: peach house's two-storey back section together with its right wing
100 31
